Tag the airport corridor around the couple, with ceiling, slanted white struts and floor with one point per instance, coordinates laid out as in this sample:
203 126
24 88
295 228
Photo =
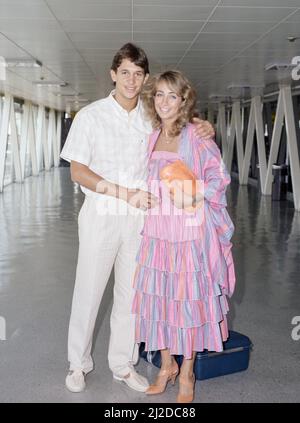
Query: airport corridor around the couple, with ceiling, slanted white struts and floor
243 58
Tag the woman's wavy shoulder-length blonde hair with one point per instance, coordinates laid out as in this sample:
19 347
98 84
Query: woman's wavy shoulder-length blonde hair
182 87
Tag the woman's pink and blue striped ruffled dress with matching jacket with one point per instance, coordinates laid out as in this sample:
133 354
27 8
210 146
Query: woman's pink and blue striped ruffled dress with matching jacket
185 268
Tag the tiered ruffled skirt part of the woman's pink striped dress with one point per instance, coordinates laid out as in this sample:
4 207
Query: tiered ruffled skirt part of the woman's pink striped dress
178 305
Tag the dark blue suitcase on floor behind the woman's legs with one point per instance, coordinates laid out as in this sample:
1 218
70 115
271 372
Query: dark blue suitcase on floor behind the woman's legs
234 358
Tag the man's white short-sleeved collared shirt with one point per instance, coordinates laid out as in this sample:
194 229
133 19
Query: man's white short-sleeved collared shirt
111 142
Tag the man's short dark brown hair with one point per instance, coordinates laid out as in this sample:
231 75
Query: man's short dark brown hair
133 53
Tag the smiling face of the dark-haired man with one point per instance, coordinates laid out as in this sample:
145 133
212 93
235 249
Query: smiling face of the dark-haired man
129 79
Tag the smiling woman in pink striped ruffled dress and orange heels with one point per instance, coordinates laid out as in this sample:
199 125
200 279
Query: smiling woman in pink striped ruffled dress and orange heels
185 268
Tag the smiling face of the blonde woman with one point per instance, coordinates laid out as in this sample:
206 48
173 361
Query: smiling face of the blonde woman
167 102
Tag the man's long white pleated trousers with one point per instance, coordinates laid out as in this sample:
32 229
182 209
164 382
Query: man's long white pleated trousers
104 242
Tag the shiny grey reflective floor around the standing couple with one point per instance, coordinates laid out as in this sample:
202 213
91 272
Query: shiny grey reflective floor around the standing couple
38 252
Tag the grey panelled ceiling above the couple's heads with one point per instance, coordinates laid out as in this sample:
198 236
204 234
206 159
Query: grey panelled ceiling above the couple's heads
77 39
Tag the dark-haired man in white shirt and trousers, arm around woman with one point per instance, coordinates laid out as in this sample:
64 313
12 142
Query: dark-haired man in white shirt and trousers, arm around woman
107 148
